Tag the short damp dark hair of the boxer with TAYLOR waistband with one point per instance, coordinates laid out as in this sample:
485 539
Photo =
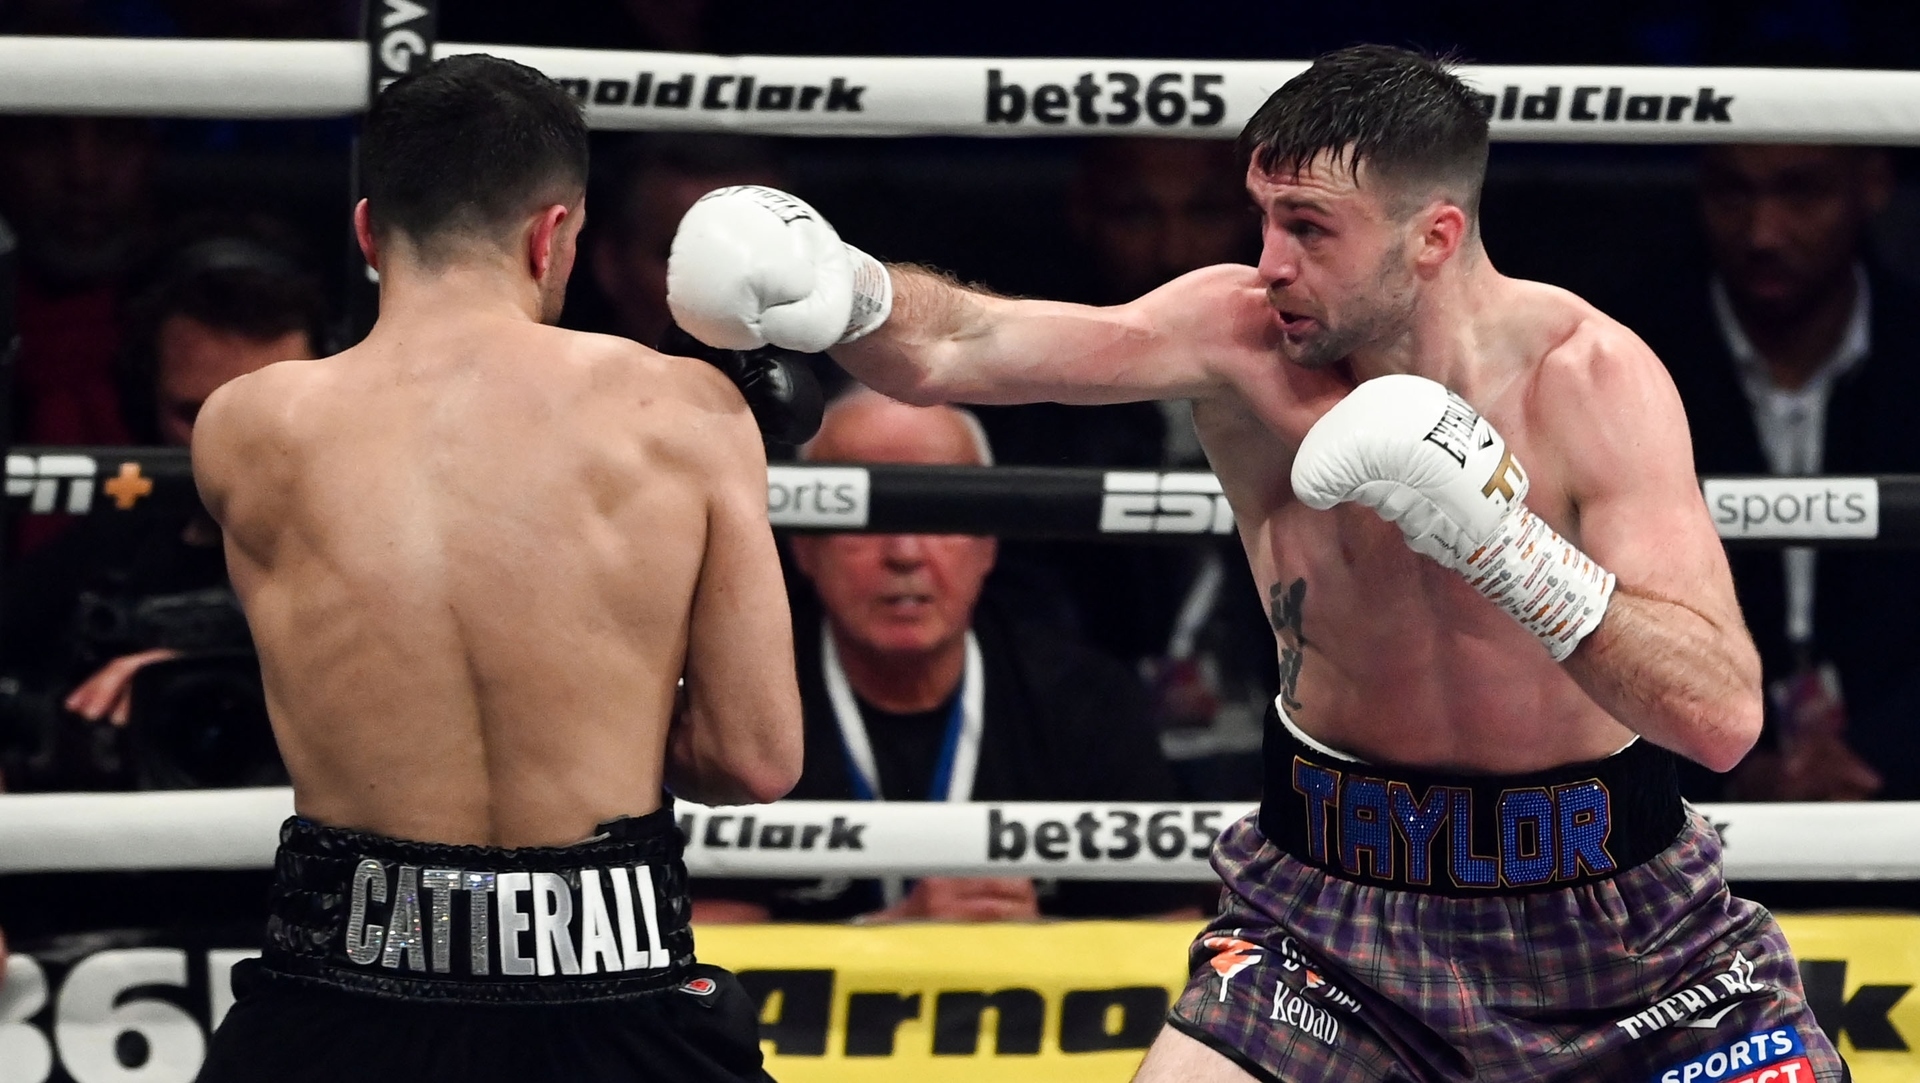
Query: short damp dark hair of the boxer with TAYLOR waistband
1401 112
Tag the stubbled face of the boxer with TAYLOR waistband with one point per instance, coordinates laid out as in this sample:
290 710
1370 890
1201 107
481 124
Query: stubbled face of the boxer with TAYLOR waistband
1335 260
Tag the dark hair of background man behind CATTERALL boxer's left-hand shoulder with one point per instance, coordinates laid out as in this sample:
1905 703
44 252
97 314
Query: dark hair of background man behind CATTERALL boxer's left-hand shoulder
247 281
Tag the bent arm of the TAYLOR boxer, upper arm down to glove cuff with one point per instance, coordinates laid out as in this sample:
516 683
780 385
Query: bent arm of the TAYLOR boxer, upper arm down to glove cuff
1671 660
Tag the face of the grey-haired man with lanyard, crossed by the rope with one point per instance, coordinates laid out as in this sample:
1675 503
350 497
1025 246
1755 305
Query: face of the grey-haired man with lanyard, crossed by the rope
896 594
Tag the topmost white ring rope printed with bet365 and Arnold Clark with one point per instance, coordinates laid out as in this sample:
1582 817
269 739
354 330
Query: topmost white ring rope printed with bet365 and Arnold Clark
957 97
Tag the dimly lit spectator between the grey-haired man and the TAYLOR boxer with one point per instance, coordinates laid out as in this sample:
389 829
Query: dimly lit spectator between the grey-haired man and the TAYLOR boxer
1147 212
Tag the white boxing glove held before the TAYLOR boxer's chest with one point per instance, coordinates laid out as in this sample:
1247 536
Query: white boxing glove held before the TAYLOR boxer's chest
1433 468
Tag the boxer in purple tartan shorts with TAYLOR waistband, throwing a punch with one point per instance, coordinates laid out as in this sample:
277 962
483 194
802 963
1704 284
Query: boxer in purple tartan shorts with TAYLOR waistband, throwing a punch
1499 600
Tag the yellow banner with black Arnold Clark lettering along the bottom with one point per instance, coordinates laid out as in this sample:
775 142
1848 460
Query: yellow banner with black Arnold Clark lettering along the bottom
1080 1001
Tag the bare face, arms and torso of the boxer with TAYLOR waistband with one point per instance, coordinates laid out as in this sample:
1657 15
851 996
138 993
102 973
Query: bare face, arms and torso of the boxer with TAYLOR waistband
1383 652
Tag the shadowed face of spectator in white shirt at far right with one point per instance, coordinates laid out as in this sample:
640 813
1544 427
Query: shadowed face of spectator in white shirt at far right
1785 222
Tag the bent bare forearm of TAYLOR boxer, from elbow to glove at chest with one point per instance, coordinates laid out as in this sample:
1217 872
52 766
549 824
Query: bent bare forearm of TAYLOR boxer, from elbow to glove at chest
1673 677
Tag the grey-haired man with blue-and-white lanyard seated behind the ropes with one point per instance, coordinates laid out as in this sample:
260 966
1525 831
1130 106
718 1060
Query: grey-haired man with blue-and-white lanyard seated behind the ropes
917 690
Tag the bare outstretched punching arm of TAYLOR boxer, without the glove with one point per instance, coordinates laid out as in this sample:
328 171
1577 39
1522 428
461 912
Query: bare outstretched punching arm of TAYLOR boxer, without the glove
946 343
